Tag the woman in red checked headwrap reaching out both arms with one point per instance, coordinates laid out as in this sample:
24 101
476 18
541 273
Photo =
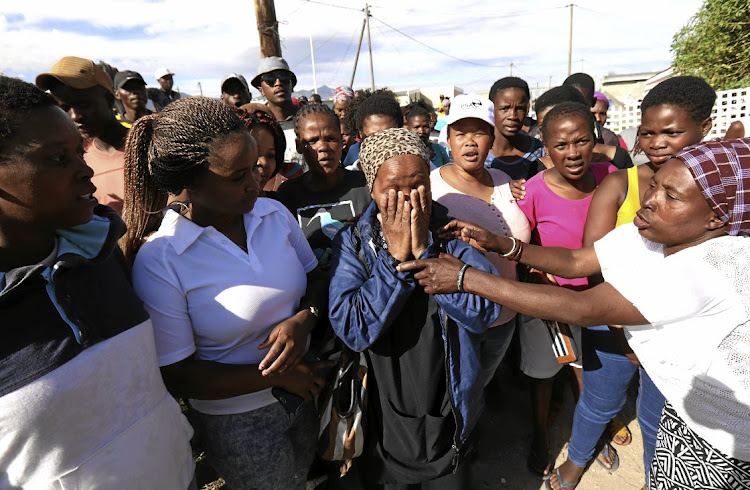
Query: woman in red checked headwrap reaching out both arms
678 280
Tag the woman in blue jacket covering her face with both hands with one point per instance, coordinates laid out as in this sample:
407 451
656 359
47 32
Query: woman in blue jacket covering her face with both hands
416 385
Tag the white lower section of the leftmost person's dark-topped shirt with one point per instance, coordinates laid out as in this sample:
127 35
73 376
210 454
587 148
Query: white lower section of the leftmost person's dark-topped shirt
102 420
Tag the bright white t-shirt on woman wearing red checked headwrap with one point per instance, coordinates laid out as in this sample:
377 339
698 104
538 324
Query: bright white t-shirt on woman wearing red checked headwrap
697 345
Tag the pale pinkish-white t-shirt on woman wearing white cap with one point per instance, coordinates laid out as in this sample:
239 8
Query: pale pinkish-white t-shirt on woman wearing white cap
501 216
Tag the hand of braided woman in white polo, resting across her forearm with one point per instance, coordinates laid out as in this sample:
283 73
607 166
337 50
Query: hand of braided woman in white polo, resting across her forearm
288 341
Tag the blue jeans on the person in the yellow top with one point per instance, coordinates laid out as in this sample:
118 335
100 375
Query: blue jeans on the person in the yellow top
606 376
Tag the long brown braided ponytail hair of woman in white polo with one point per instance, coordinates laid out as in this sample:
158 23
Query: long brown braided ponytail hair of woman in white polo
166 153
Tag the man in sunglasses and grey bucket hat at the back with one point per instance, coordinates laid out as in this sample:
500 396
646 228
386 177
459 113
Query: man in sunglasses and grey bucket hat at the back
276 81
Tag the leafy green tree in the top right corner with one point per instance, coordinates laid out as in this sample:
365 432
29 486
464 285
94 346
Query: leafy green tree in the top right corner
715 44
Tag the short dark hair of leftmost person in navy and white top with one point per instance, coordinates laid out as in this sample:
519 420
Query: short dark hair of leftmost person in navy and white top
17 98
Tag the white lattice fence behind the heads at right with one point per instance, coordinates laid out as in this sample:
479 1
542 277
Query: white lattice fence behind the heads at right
730 106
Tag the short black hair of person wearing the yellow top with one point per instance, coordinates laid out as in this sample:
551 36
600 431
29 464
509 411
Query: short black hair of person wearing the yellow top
693 94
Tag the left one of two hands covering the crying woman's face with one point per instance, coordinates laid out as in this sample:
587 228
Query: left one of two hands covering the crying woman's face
396 223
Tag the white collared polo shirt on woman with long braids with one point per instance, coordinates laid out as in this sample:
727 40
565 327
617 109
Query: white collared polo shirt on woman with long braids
208 297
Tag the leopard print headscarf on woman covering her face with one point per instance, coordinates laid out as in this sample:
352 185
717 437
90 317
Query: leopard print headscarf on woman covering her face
386 144
